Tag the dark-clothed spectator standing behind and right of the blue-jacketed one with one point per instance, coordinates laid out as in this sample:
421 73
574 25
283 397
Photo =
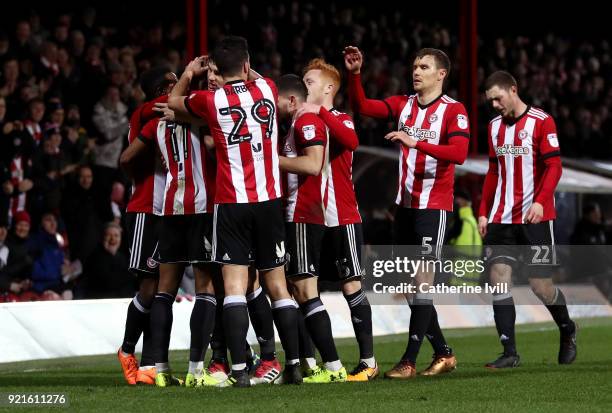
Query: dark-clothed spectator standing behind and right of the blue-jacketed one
85 211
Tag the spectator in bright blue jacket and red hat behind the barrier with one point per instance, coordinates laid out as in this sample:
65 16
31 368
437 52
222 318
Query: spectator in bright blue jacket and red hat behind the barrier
50 263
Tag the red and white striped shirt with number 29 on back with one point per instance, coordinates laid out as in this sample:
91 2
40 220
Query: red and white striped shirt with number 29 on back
242 119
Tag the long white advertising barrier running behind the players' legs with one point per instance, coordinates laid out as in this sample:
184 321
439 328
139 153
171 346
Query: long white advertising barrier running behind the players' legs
50 329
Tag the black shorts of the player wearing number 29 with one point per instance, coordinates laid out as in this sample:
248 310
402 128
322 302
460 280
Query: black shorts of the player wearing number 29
249 234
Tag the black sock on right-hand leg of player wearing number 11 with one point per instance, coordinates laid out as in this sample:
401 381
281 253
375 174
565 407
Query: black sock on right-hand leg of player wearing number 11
201 324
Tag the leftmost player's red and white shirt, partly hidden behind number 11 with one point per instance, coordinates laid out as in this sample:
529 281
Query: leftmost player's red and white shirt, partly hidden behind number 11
149 176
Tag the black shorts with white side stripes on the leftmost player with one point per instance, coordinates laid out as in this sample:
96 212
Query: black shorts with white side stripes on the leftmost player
142 232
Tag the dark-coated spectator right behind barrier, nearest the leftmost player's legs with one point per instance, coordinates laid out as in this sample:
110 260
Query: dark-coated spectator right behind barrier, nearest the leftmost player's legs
106 273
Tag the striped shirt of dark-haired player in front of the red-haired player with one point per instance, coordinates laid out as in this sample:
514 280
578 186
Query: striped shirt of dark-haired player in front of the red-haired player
304 193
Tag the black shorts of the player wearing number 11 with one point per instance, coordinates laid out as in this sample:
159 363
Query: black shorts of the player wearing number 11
185 239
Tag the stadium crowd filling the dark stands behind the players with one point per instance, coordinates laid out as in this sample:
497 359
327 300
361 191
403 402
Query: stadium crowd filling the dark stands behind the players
68 84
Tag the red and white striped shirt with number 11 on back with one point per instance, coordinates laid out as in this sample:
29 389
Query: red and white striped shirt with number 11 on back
190 178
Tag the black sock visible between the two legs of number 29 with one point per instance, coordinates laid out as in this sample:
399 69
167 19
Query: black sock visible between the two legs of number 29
260 313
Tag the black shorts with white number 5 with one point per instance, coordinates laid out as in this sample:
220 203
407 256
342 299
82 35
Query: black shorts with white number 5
423 229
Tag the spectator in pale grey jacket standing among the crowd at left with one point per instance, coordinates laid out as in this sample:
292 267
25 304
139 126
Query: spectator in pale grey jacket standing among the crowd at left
110 119
